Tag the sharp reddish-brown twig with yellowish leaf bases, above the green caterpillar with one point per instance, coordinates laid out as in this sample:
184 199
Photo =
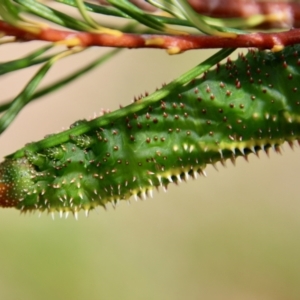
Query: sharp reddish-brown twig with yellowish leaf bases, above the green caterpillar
174 44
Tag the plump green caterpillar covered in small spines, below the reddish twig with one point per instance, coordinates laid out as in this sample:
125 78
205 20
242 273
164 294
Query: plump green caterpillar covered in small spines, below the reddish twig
238 108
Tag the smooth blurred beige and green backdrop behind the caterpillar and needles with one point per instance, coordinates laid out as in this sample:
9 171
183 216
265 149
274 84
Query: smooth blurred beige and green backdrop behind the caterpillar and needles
232 235
